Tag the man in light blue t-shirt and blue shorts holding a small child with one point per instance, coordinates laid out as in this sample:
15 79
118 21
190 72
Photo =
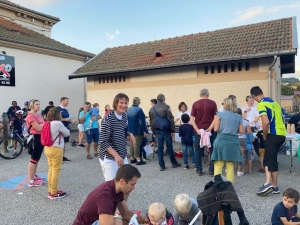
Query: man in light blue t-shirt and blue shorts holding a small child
91 132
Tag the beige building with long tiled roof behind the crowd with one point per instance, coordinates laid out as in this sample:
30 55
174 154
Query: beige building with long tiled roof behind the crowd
226 61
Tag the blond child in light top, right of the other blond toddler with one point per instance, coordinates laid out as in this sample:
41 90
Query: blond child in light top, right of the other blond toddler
186 209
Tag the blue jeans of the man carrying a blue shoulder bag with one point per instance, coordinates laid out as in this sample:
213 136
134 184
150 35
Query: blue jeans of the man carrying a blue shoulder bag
164 135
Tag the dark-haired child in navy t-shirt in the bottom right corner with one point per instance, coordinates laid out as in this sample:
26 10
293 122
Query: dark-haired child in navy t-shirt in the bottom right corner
286 212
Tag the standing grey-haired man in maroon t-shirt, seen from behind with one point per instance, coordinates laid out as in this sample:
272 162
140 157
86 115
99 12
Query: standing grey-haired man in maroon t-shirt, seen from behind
202 116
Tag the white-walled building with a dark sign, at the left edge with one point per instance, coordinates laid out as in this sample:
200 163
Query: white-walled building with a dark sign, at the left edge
42 64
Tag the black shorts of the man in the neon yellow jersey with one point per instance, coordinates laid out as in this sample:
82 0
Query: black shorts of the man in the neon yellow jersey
273 144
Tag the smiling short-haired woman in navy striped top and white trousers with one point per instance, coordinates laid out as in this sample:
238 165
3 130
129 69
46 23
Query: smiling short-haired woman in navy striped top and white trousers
112 138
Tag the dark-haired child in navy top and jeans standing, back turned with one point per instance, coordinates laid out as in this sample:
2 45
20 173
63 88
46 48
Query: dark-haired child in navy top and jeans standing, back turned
186 132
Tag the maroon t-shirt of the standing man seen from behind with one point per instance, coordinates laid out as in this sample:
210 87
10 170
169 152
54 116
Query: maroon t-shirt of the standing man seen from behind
204 111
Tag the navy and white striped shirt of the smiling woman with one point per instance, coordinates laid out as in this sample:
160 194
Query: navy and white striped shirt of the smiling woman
113 134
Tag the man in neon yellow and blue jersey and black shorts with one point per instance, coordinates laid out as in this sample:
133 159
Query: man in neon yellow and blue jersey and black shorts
274 136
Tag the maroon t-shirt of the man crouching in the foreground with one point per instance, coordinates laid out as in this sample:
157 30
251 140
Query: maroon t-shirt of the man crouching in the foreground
102 200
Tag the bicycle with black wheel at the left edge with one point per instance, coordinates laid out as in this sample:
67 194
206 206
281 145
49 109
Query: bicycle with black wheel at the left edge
7 145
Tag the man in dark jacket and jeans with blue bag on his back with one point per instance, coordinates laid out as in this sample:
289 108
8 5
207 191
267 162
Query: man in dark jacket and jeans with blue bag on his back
163 126
